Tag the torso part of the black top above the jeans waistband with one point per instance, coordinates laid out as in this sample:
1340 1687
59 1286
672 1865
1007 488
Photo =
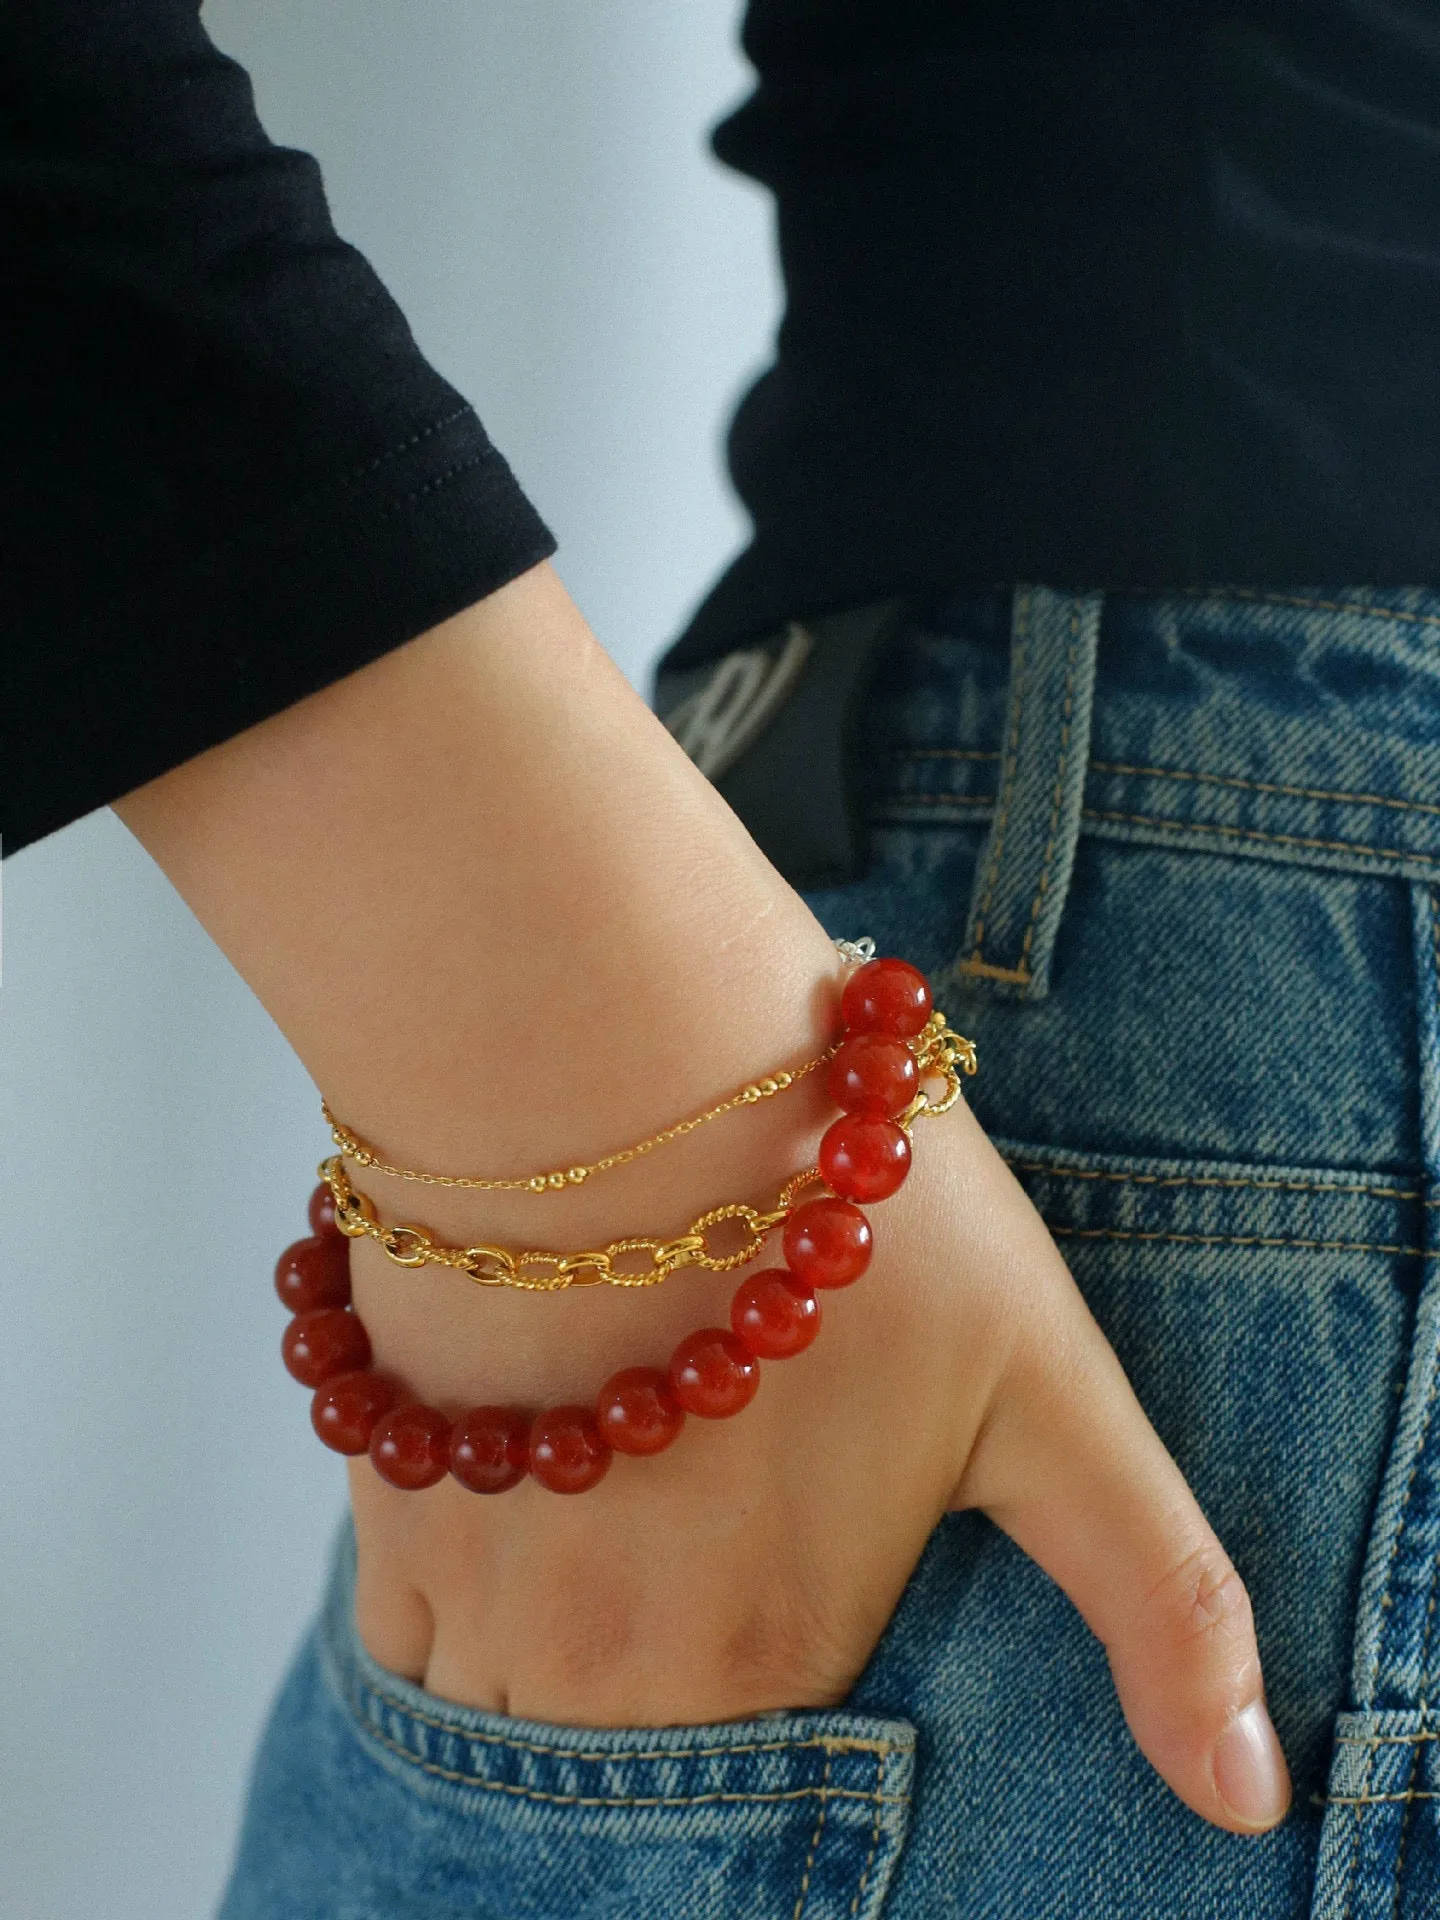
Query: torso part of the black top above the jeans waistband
1143 293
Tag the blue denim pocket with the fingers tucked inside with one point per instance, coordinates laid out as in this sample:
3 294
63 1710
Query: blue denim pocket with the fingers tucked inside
375 1798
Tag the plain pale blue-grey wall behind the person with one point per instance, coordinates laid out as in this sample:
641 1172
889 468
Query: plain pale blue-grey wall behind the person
531 180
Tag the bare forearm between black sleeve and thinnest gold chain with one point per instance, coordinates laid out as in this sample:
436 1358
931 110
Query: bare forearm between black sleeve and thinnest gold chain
489 901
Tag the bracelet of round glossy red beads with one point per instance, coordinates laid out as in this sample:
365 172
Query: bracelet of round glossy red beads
713 1374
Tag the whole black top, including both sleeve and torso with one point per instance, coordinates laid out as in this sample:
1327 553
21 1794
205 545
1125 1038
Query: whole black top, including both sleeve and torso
1132 295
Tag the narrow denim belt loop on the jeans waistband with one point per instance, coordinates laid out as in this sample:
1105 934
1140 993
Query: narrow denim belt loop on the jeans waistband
1024 869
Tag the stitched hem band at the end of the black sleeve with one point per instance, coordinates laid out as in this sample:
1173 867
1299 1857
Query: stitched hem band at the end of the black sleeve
245 631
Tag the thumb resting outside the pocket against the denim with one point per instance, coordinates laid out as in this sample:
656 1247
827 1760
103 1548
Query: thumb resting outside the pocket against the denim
1072 1470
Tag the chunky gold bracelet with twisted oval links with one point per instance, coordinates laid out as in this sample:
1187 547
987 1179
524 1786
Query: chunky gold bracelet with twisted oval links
940 1055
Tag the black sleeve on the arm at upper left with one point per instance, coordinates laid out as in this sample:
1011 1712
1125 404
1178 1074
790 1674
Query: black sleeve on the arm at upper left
229 475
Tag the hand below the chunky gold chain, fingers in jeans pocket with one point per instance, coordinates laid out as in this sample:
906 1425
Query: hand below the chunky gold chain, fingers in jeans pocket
757 1562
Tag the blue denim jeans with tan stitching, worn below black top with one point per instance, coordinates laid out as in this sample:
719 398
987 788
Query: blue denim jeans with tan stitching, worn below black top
1176 865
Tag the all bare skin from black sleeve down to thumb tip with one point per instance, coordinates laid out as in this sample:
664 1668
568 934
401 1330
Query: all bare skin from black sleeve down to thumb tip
508 926
